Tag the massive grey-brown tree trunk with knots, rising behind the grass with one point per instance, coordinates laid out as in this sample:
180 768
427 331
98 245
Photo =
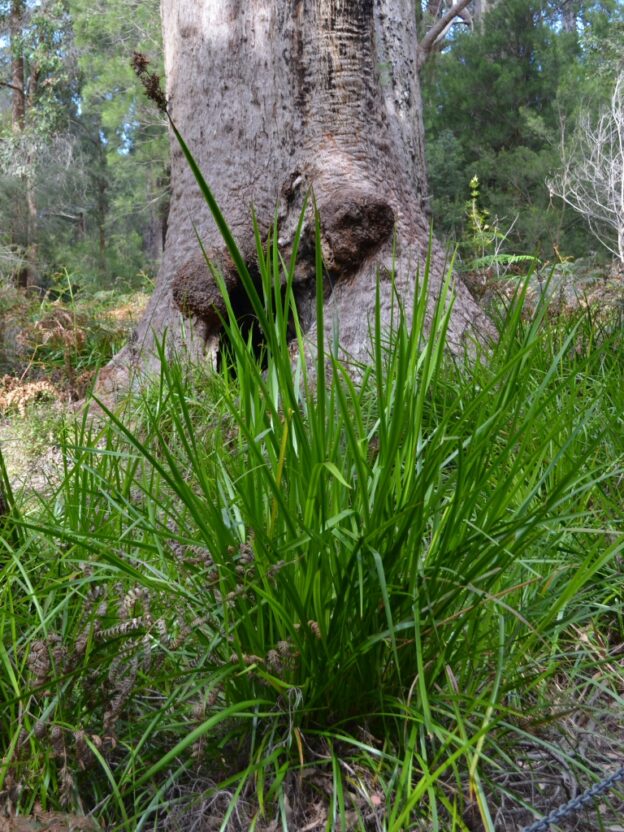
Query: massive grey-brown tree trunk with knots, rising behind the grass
276 98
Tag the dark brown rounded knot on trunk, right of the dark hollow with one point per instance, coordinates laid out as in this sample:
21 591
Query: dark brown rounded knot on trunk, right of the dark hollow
354 227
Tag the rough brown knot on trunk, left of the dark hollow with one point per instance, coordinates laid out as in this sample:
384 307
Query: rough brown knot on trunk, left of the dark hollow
195 292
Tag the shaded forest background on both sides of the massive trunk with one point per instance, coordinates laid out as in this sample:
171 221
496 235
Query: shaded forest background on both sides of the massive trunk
84 158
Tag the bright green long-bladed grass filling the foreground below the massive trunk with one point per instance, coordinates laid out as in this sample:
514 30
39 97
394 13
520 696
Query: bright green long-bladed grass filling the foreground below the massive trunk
279 590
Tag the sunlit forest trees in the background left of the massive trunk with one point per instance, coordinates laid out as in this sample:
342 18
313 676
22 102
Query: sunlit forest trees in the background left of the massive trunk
85 163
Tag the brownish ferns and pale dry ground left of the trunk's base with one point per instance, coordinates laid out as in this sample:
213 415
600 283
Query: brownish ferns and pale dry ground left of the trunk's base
51 349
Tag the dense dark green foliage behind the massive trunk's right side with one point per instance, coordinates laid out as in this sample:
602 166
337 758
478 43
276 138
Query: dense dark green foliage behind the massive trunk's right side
493 107
